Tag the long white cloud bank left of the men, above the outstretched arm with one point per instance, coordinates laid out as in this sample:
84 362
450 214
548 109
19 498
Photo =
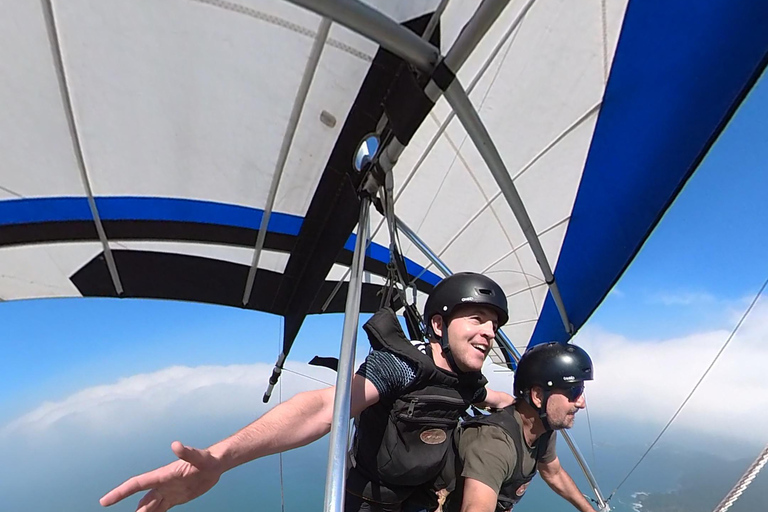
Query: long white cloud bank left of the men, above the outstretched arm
131 403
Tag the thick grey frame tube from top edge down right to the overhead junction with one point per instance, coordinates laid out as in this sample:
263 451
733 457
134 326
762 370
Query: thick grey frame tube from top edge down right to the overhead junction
377 27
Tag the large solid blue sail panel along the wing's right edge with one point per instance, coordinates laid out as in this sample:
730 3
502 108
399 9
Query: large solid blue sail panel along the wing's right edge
681 70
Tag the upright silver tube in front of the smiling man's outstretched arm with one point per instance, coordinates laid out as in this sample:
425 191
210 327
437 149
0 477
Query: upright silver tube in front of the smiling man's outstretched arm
337 453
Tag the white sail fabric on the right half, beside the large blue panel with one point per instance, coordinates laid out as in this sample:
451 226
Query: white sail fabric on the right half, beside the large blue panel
546 79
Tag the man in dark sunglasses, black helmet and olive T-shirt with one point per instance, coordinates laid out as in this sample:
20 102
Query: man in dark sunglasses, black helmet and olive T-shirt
501 452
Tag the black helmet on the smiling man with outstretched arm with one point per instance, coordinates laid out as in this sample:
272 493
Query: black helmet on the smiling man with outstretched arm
464 288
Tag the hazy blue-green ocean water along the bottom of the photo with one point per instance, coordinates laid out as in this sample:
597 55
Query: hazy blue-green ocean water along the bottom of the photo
68 476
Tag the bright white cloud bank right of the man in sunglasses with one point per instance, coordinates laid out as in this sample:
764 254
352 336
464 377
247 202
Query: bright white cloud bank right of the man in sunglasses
646 381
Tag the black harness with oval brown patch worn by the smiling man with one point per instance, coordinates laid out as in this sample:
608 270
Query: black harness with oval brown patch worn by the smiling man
404 441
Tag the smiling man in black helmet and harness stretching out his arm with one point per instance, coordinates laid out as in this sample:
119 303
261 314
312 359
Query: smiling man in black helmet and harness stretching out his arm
409 399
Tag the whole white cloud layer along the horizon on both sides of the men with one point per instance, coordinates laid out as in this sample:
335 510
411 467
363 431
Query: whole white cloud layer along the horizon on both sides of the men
637 381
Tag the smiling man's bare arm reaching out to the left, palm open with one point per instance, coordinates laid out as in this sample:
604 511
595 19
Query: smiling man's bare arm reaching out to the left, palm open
296 422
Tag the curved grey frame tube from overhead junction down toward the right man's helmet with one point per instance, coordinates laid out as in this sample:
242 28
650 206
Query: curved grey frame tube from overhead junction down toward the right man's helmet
470 119
